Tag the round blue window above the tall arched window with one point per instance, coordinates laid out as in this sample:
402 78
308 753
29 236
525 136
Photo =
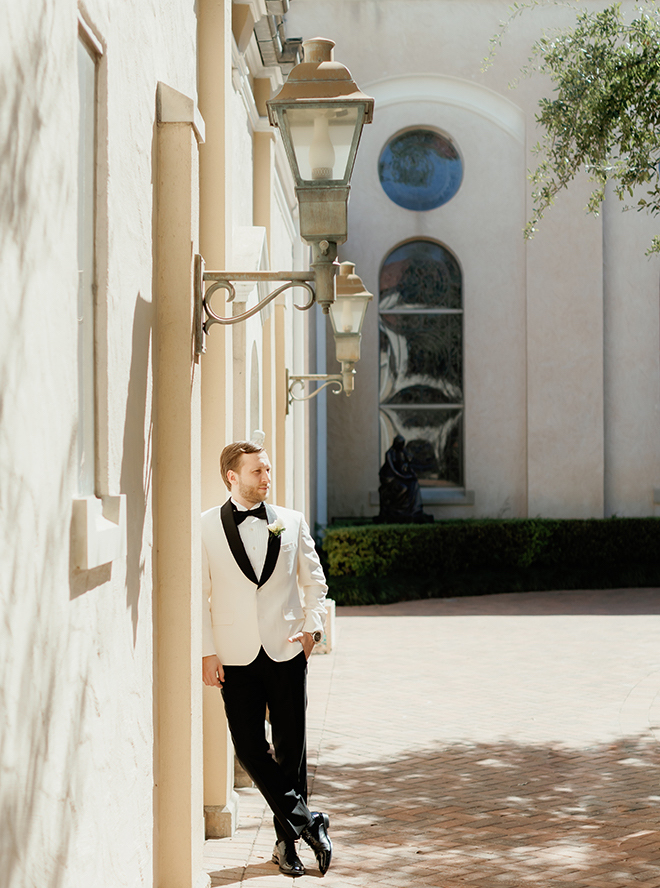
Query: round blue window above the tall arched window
420 170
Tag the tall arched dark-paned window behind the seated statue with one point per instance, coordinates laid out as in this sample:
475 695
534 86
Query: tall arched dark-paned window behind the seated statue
421 359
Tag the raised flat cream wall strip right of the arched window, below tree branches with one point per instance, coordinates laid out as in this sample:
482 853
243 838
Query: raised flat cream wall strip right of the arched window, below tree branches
565 364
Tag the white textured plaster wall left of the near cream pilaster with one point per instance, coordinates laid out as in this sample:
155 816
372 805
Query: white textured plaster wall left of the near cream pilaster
76 648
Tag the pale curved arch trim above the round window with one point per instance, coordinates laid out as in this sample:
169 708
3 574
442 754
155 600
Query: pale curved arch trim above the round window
450 91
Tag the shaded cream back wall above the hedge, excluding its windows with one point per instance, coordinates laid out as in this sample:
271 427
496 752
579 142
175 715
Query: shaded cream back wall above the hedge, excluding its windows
553 410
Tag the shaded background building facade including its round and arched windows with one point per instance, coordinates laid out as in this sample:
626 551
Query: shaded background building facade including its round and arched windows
524 376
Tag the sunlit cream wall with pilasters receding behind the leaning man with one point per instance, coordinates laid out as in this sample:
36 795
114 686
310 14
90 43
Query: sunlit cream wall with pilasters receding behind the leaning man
247 223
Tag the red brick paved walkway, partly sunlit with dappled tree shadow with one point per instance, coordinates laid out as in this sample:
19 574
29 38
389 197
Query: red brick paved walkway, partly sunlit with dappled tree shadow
507 740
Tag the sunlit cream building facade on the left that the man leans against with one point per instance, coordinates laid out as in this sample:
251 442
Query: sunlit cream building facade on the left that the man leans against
134 136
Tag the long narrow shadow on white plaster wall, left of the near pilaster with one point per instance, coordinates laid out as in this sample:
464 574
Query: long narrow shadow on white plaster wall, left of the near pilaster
136 466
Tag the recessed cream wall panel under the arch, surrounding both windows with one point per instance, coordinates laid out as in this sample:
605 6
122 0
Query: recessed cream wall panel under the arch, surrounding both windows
481 227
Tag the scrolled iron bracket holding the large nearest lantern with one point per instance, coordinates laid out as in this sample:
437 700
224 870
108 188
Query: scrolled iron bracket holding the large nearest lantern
205 317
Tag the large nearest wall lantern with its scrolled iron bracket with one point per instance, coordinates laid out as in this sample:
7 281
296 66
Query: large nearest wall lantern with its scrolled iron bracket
320 112
